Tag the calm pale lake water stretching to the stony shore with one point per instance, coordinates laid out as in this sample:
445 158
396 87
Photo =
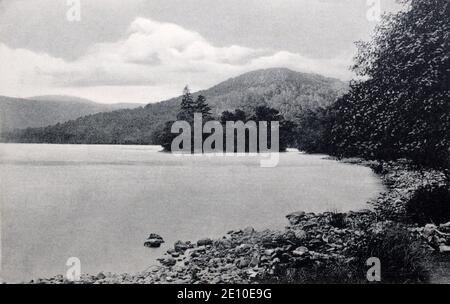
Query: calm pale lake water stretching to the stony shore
99 203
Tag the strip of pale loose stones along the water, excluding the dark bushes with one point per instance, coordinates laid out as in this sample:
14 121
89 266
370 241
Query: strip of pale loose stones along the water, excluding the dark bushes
308 241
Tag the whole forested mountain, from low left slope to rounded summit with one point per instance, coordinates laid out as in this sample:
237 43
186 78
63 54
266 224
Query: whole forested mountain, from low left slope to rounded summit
285 90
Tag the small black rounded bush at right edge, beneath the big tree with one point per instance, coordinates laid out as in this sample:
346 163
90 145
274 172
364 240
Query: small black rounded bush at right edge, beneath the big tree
430 204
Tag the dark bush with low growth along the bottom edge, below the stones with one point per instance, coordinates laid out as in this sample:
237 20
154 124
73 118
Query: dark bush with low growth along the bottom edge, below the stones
402 257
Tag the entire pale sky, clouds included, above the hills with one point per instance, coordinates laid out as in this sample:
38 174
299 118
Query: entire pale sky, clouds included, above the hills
148 50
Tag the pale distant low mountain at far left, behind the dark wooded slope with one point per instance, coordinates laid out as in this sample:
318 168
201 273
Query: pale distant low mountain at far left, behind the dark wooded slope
41 111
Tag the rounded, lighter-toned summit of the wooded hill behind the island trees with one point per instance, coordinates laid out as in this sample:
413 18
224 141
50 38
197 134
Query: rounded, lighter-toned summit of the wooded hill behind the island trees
279 88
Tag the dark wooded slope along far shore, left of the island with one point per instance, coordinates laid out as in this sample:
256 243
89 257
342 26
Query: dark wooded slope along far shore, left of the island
128 126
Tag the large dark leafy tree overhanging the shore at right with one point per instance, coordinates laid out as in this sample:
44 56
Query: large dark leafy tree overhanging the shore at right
401 107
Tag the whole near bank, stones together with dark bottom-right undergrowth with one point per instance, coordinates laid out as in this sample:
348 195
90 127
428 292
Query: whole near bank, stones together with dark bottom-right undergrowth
315 248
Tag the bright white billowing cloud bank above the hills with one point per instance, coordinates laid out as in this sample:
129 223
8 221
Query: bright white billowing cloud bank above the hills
157 55
